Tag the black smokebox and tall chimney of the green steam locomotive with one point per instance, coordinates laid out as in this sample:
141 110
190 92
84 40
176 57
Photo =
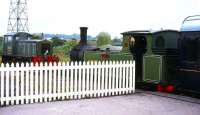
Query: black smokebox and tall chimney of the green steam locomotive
77 52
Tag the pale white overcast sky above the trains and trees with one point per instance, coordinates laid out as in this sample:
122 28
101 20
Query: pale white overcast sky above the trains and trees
112 16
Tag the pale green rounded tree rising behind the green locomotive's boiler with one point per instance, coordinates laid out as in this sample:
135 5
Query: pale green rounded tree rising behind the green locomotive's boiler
103 38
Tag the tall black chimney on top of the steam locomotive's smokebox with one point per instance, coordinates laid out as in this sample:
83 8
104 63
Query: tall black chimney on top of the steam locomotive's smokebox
83 34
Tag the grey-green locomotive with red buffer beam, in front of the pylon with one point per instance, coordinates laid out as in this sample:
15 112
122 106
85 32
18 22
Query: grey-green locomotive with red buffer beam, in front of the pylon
20 47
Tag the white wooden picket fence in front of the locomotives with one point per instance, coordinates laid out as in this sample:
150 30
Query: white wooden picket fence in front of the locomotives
31 84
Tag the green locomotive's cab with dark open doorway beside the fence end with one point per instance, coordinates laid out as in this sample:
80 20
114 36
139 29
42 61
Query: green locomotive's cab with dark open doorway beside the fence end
137 42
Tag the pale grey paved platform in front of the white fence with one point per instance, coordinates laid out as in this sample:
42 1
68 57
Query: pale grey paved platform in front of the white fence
136 104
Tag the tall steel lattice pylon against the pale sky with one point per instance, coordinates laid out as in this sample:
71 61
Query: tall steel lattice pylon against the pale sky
18 16
